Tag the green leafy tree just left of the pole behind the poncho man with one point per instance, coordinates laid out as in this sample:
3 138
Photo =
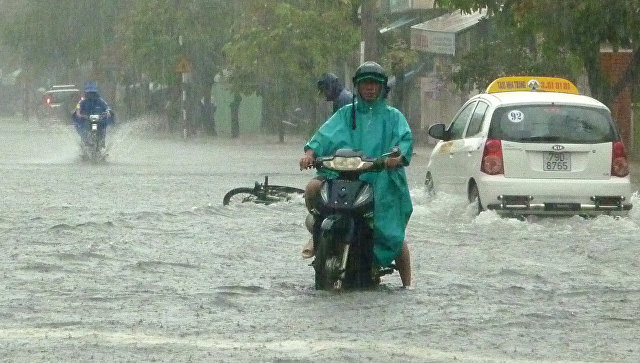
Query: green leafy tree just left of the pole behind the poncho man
279 48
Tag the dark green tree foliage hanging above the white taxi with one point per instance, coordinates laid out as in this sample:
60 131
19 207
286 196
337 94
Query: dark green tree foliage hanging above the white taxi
559 37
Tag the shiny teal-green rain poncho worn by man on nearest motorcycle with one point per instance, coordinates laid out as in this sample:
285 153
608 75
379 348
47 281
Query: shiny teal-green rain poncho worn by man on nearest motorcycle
379 127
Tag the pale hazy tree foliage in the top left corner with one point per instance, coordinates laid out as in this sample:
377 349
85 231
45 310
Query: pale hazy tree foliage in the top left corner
51 37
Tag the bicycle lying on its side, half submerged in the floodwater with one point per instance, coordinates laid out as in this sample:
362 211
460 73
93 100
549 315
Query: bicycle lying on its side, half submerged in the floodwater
261 194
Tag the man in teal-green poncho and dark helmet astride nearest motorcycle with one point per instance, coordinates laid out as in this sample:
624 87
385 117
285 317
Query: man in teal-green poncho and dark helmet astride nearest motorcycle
372 126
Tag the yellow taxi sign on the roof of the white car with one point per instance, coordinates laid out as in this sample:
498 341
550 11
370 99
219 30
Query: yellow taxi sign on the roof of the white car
528 83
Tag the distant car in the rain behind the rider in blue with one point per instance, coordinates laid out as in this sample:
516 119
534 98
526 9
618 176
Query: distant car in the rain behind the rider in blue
58 103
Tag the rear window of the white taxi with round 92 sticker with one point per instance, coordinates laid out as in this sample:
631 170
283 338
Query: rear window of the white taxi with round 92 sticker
552 123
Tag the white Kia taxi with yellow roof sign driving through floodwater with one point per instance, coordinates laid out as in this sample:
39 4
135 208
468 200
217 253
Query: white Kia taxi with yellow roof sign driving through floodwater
532 146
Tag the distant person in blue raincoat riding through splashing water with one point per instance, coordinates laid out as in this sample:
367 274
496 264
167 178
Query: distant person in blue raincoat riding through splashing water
90 104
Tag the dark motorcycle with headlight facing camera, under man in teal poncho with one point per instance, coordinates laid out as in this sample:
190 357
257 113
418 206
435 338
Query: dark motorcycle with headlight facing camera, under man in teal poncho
342 223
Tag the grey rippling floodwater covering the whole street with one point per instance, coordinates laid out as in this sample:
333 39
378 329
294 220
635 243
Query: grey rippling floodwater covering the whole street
137 260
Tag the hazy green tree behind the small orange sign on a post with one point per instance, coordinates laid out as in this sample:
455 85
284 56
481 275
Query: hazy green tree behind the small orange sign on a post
158 34
